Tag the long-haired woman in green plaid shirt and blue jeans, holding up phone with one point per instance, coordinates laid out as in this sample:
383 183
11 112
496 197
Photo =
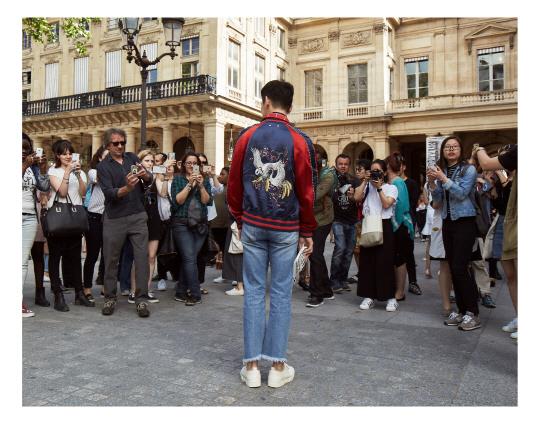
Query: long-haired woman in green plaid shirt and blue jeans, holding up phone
190 194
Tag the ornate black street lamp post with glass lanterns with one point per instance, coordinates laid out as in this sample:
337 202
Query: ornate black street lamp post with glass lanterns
130 28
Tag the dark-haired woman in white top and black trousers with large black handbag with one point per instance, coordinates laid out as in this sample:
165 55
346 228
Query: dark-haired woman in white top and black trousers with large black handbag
67 179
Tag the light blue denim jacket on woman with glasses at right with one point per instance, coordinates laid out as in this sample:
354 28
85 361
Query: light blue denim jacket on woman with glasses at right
461 188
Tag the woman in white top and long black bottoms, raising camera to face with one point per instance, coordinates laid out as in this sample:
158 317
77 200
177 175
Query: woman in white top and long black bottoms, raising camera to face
376 278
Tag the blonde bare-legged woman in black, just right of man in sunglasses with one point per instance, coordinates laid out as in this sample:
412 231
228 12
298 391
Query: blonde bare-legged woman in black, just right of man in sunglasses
154 222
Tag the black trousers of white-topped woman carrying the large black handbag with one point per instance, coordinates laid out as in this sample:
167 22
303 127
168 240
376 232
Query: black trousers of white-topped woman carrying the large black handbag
69 250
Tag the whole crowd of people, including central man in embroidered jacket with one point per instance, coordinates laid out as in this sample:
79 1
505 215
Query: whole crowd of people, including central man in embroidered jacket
150 211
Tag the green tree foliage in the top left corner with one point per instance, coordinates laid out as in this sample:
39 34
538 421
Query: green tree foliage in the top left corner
76 29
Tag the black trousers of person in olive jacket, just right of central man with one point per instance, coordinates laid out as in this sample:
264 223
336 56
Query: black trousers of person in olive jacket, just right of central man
319 282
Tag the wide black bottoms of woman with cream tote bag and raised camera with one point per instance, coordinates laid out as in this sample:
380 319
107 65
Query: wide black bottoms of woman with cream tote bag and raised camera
376 278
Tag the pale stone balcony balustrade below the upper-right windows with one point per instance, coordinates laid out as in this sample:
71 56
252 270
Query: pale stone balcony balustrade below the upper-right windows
453 101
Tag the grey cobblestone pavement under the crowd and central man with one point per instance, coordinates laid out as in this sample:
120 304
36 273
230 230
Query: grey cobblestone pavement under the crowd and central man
342 356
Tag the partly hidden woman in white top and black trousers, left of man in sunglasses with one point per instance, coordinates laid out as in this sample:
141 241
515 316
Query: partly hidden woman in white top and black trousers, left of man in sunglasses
94 236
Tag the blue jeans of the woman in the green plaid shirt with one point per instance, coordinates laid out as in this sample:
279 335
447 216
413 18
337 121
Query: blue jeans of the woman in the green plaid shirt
189 242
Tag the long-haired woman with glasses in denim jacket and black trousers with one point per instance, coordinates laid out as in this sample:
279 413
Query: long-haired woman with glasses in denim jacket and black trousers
452 183
